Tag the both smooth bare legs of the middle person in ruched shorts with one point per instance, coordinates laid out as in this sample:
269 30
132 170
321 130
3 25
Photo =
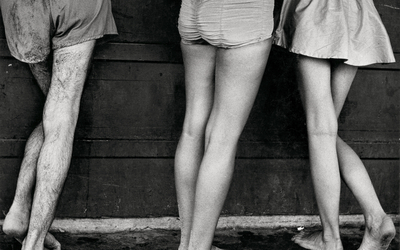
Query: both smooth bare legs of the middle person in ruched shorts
206 171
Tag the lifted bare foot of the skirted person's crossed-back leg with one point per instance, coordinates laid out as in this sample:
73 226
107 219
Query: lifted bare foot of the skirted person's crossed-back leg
378 234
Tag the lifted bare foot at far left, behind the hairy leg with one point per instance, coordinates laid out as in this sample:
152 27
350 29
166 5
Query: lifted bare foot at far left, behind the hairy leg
17 221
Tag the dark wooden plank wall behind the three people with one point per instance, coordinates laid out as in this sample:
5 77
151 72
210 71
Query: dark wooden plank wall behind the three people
132 112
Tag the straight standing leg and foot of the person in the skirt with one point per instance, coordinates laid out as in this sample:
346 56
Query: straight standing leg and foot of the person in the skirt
315 86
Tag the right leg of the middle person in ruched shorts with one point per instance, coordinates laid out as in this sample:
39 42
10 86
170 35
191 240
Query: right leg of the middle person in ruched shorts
237 78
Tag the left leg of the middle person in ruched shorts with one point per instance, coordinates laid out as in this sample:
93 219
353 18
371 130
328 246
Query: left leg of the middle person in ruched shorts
199 62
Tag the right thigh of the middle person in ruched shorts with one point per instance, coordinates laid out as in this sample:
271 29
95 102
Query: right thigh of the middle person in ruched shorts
237 79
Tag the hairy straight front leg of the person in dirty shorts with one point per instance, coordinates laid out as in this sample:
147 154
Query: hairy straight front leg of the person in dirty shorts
59 121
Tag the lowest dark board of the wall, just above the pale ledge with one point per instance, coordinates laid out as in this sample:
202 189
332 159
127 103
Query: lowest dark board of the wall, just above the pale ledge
145 188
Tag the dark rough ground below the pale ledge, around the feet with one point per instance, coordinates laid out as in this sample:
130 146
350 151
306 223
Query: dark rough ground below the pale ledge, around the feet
271 239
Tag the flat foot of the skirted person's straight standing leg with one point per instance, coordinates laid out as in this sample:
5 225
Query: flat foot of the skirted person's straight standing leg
314 241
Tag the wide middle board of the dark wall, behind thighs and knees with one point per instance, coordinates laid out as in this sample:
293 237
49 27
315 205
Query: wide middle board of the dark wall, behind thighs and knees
145 101
